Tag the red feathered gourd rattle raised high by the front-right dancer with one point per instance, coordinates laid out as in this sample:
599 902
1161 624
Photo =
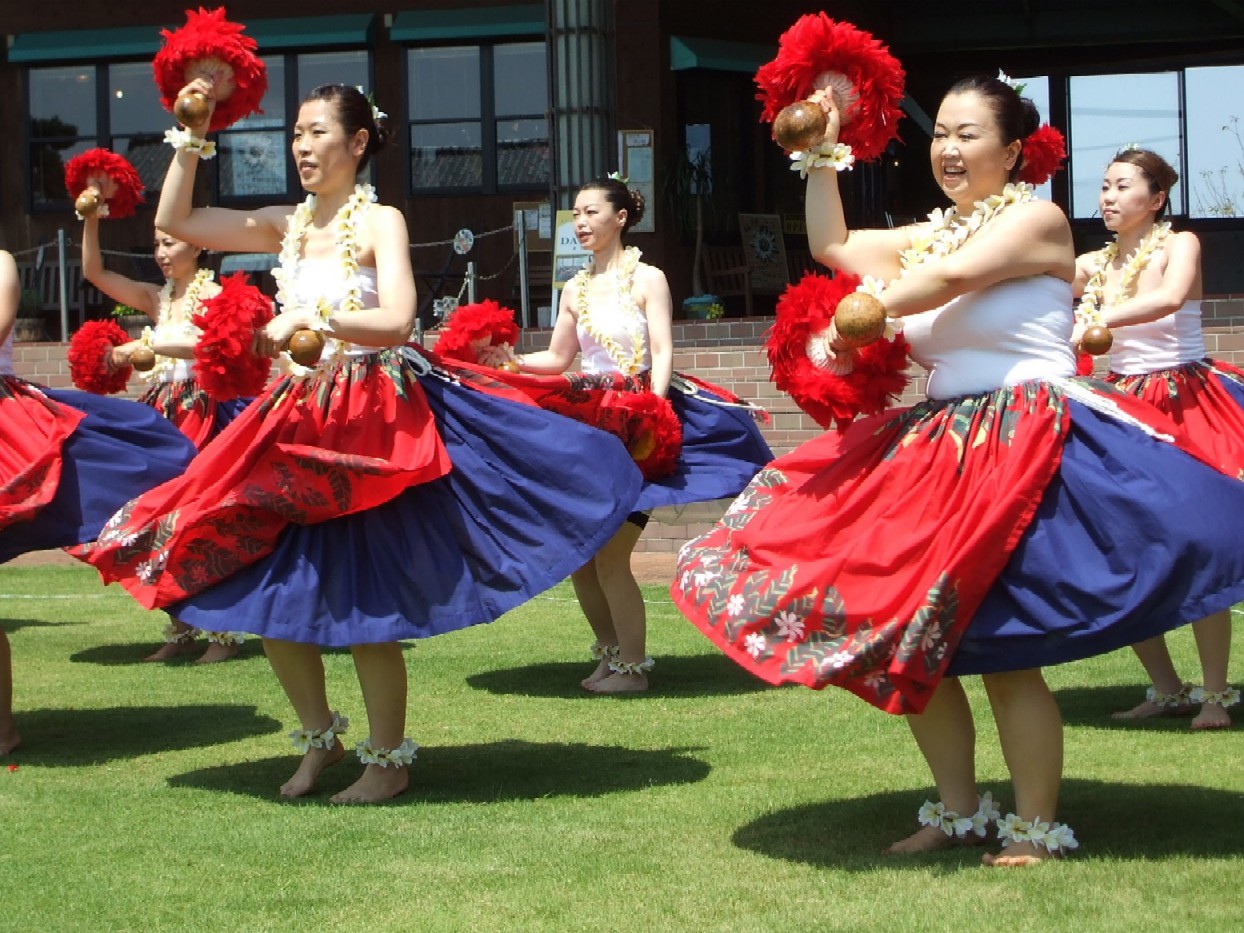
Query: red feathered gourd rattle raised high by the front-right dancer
865 79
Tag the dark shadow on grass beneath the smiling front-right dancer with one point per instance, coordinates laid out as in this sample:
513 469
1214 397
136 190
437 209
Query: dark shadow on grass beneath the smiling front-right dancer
1110 820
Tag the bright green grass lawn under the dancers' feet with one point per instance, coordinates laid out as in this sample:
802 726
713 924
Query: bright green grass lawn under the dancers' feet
145 797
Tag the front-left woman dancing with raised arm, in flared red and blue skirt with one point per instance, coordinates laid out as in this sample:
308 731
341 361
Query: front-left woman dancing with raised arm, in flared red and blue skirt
368 498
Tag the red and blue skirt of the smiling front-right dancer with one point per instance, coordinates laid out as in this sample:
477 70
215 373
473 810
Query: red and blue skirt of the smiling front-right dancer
1021 528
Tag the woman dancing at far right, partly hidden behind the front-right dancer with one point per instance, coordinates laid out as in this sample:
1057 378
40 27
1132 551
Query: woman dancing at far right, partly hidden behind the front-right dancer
1146 288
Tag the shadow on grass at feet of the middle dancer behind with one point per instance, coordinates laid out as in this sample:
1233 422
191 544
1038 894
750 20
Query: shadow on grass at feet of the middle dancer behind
696 676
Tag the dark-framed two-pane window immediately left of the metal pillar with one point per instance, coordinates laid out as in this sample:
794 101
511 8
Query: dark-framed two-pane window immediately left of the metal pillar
478 118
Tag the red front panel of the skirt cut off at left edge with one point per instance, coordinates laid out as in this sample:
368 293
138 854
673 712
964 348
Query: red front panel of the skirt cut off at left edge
33 431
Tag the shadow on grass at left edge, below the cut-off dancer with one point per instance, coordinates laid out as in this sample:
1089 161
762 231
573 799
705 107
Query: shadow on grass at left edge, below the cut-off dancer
60 738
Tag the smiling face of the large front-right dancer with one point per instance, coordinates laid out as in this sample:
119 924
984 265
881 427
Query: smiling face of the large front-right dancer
968 156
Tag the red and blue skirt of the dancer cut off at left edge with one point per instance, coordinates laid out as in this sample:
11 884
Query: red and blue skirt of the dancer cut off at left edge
70 460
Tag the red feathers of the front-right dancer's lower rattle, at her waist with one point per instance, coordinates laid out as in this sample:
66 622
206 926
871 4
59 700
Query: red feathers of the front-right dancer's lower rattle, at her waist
880 373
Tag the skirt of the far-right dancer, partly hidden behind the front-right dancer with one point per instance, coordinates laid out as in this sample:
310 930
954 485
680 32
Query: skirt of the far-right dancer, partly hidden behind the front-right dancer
1206 400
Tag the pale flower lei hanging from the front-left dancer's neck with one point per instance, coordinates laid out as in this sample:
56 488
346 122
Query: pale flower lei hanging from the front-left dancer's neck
346 236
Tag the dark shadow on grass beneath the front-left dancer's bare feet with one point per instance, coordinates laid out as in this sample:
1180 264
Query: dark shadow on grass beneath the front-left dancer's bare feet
480 774
